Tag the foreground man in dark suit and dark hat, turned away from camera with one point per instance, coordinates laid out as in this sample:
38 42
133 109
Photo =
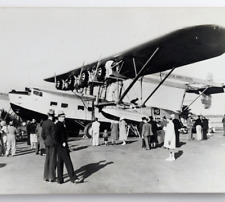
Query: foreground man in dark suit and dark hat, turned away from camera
48 134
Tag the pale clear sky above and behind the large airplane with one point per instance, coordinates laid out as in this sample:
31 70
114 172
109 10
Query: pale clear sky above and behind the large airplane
37 42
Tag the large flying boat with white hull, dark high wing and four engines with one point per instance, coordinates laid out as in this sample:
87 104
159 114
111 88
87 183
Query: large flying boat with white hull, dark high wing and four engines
89 83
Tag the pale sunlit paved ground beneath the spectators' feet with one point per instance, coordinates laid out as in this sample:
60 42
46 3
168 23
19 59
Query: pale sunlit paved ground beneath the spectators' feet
199 168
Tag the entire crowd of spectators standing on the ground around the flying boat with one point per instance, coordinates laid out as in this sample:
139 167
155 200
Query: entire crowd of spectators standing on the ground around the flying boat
49 138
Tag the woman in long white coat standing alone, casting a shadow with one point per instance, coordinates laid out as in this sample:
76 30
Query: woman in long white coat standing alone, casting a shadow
170 140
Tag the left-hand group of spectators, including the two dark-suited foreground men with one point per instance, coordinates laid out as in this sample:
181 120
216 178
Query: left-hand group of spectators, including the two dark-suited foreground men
49 138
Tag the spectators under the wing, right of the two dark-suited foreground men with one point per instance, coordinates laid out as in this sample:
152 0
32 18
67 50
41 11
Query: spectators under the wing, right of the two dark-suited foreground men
148 128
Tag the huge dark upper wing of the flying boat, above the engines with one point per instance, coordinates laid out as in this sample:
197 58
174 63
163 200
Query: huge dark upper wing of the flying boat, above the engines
179 48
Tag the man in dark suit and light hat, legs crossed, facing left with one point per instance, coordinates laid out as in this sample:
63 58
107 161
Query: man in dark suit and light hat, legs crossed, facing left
63 155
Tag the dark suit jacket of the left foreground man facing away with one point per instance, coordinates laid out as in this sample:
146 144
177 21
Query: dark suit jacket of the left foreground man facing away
48 132
